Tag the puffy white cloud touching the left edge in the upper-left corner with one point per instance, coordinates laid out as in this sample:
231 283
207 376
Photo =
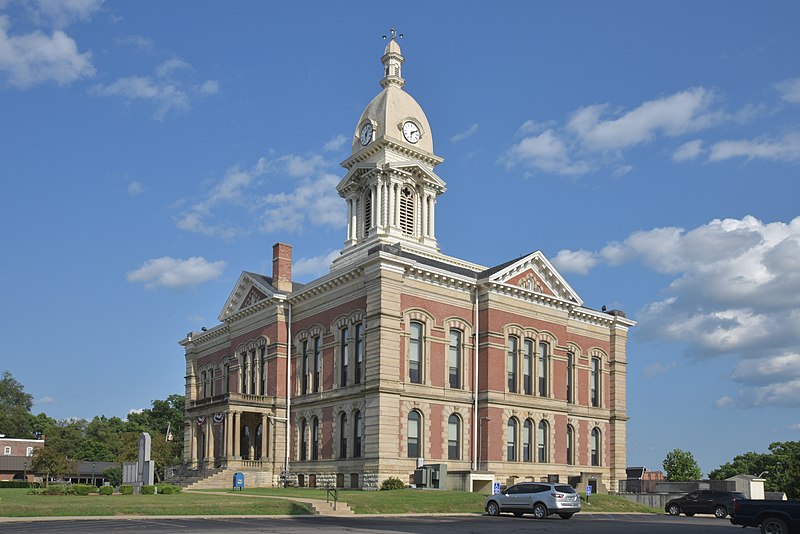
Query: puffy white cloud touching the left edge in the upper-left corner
35 58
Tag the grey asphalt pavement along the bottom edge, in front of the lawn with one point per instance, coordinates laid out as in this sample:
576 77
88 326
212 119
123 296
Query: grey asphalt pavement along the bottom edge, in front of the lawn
583 523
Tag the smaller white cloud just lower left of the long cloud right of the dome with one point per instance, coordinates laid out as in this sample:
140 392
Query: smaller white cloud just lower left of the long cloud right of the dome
544 152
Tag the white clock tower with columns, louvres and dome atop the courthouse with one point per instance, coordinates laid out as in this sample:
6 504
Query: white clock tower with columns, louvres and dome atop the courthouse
390 186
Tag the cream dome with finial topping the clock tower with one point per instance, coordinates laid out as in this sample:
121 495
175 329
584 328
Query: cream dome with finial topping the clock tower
393 107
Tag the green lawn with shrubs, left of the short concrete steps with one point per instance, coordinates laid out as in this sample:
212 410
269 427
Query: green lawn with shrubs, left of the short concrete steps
17 503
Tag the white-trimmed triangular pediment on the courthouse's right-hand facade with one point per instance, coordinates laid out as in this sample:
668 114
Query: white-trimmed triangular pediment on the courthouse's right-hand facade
540 269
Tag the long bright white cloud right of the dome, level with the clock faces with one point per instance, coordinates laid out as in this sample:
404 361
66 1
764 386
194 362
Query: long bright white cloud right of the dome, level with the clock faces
600 129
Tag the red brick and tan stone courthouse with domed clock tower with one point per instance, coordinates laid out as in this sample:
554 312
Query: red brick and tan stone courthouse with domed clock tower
401 355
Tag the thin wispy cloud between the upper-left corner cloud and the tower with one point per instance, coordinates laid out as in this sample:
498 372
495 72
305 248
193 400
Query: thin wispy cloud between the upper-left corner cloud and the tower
165 90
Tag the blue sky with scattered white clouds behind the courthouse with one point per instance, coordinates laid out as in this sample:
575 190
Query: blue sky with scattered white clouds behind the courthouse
151 151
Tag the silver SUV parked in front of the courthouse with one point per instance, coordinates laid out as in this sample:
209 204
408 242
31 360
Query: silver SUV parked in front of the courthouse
538 498
